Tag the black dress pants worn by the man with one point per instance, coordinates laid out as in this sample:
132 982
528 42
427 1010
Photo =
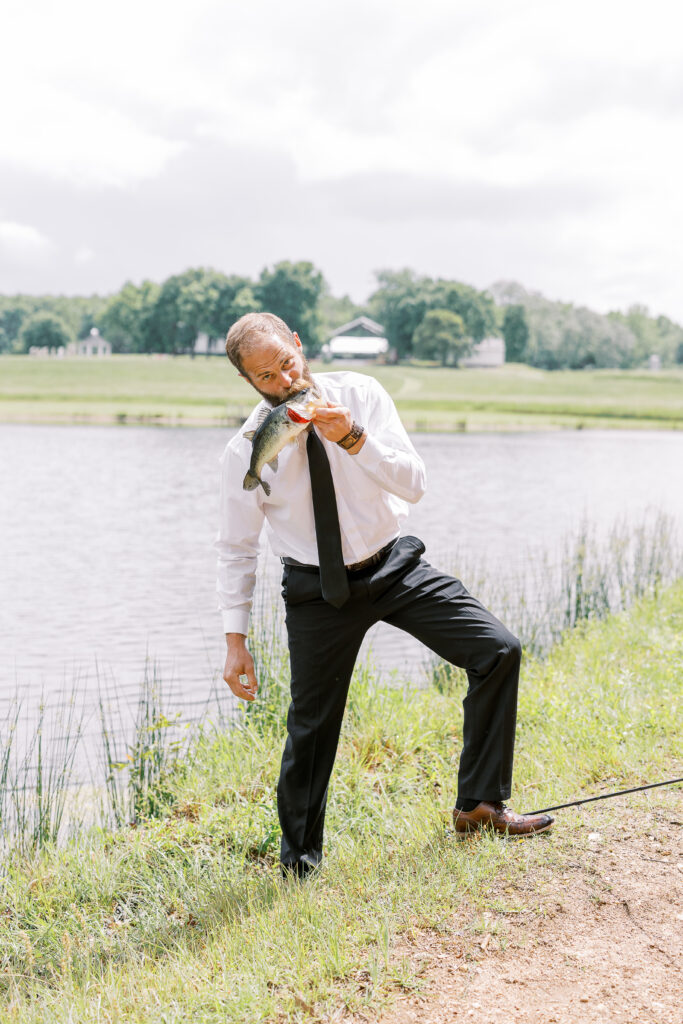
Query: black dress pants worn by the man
405 591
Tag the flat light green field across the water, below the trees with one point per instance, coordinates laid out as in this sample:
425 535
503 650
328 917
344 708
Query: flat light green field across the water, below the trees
208 393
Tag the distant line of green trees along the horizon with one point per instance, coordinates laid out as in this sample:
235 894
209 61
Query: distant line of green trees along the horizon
424 319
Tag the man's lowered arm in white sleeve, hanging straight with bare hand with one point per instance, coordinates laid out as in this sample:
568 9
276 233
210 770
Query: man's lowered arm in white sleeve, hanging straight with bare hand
241 522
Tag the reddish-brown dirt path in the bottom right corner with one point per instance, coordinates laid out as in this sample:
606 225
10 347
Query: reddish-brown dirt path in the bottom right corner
601 938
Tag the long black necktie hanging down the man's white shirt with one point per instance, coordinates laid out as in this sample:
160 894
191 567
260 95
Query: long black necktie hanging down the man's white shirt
333 574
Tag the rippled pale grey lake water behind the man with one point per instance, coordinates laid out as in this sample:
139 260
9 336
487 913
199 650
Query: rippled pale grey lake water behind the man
107 534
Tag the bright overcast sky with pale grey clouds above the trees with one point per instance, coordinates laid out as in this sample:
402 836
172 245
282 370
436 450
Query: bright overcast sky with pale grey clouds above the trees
540 142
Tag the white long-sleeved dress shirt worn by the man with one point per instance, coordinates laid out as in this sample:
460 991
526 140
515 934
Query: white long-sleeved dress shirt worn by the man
372 490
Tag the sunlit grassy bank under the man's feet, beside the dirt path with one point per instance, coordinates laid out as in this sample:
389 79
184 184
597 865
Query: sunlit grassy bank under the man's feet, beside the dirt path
185 917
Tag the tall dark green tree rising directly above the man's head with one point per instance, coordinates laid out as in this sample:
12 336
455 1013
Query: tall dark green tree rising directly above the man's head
292 291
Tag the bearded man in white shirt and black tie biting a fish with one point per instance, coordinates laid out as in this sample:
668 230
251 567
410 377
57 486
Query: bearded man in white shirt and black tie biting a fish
334 514
